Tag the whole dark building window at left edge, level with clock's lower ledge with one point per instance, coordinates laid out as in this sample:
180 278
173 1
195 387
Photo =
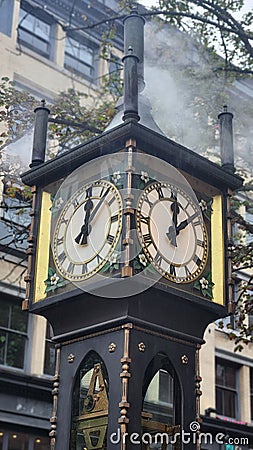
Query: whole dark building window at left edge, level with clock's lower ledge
13 334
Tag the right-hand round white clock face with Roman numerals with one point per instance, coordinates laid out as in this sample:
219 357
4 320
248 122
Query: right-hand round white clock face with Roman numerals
172 232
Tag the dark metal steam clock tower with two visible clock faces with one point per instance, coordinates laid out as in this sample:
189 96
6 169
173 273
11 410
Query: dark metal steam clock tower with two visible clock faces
128 261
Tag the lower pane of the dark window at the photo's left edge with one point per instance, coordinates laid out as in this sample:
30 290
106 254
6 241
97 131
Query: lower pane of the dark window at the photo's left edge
15 350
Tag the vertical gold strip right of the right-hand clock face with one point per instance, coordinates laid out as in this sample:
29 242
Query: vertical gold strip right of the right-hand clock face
217 251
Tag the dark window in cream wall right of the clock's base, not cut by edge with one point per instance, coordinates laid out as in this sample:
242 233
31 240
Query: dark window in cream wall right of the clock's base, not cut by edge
226 388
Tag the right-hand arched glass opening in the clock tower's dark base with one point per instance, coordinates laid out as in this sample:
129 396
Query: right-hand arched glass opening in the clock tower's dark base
161 412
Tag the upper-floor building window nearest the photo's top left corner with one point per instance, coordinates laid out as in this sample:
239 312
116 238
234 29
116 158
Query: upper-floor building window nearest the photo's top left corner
35 31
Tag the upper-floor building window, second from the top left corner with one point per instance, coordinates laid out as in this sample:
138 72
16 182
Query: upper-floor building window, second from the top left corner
81 57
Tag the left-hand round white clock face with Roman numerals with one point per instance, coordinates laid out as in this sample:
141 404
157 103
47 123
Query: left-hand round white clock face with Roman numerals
87 230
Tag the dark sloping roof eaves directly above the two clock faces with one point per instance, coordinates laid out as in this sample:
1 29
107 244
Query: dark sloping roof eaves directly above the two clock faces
148 141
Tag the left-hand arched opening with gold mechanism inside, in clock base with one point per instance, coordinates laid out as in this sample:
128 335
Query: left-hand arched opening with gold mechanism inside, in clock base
90 405
